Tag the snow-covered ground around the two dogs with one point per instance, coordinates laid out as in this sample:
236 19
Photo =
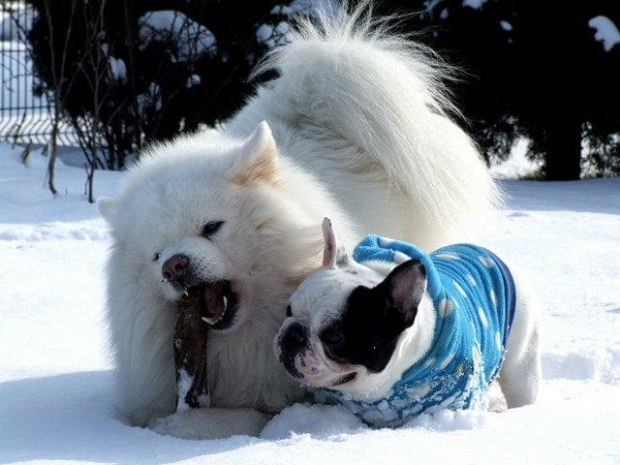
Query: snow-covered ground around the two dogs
56 400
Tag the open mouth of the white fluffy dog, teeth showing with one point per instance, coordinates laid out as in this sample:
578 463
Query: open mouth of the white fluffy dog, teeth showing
217 301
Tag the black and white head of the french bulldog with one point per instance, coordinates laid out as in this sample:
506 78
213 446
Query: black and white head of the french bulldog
344 322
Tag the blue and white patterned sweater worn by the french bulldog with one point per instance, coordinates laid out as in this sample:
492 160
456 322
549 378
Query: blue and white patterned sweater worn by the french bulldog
473 296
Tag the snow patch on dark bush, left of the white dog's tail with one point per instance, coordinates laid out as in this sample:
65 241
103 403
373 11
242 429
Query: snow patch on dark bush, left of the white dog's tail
191 38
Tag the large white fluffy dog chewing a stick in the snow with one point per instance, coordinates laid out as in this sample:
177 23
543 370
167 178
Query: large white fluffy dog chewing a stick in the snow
355 127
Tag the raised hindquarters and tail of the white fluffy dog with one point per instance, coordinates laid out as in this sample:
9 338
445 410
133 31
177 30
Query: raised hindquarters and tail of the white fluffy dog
372 114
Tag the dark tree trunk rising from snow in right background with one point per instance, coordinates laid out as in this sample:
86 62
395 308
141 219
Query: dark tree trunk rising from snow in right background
563 148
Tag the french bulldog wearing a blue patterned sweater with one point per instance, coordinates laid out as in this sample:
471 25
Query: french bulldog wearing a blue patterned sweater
396 332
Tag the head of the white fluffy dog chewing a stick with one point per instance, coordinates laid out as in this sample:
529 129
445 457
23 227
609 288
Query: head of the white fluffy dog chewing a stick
195 228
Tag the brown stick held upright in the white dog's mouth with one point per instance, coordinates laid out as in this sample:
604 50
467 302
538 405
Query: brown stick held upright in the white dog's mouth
190 347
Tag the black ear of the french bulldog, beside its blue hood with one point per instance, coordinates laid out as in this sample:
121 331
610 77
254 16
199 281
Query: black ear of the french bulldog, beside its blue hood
405 287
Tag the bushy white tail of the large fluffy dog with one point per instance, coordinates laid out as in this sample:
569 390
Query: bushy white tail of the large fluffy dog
348 74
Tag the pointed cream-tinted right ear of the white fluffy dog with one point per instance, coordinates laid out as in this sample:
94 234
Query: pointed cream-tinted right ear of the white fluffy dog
261 157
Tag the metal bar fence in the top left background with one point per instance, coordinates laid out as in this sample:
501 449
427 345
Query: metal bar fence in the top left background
24 115
